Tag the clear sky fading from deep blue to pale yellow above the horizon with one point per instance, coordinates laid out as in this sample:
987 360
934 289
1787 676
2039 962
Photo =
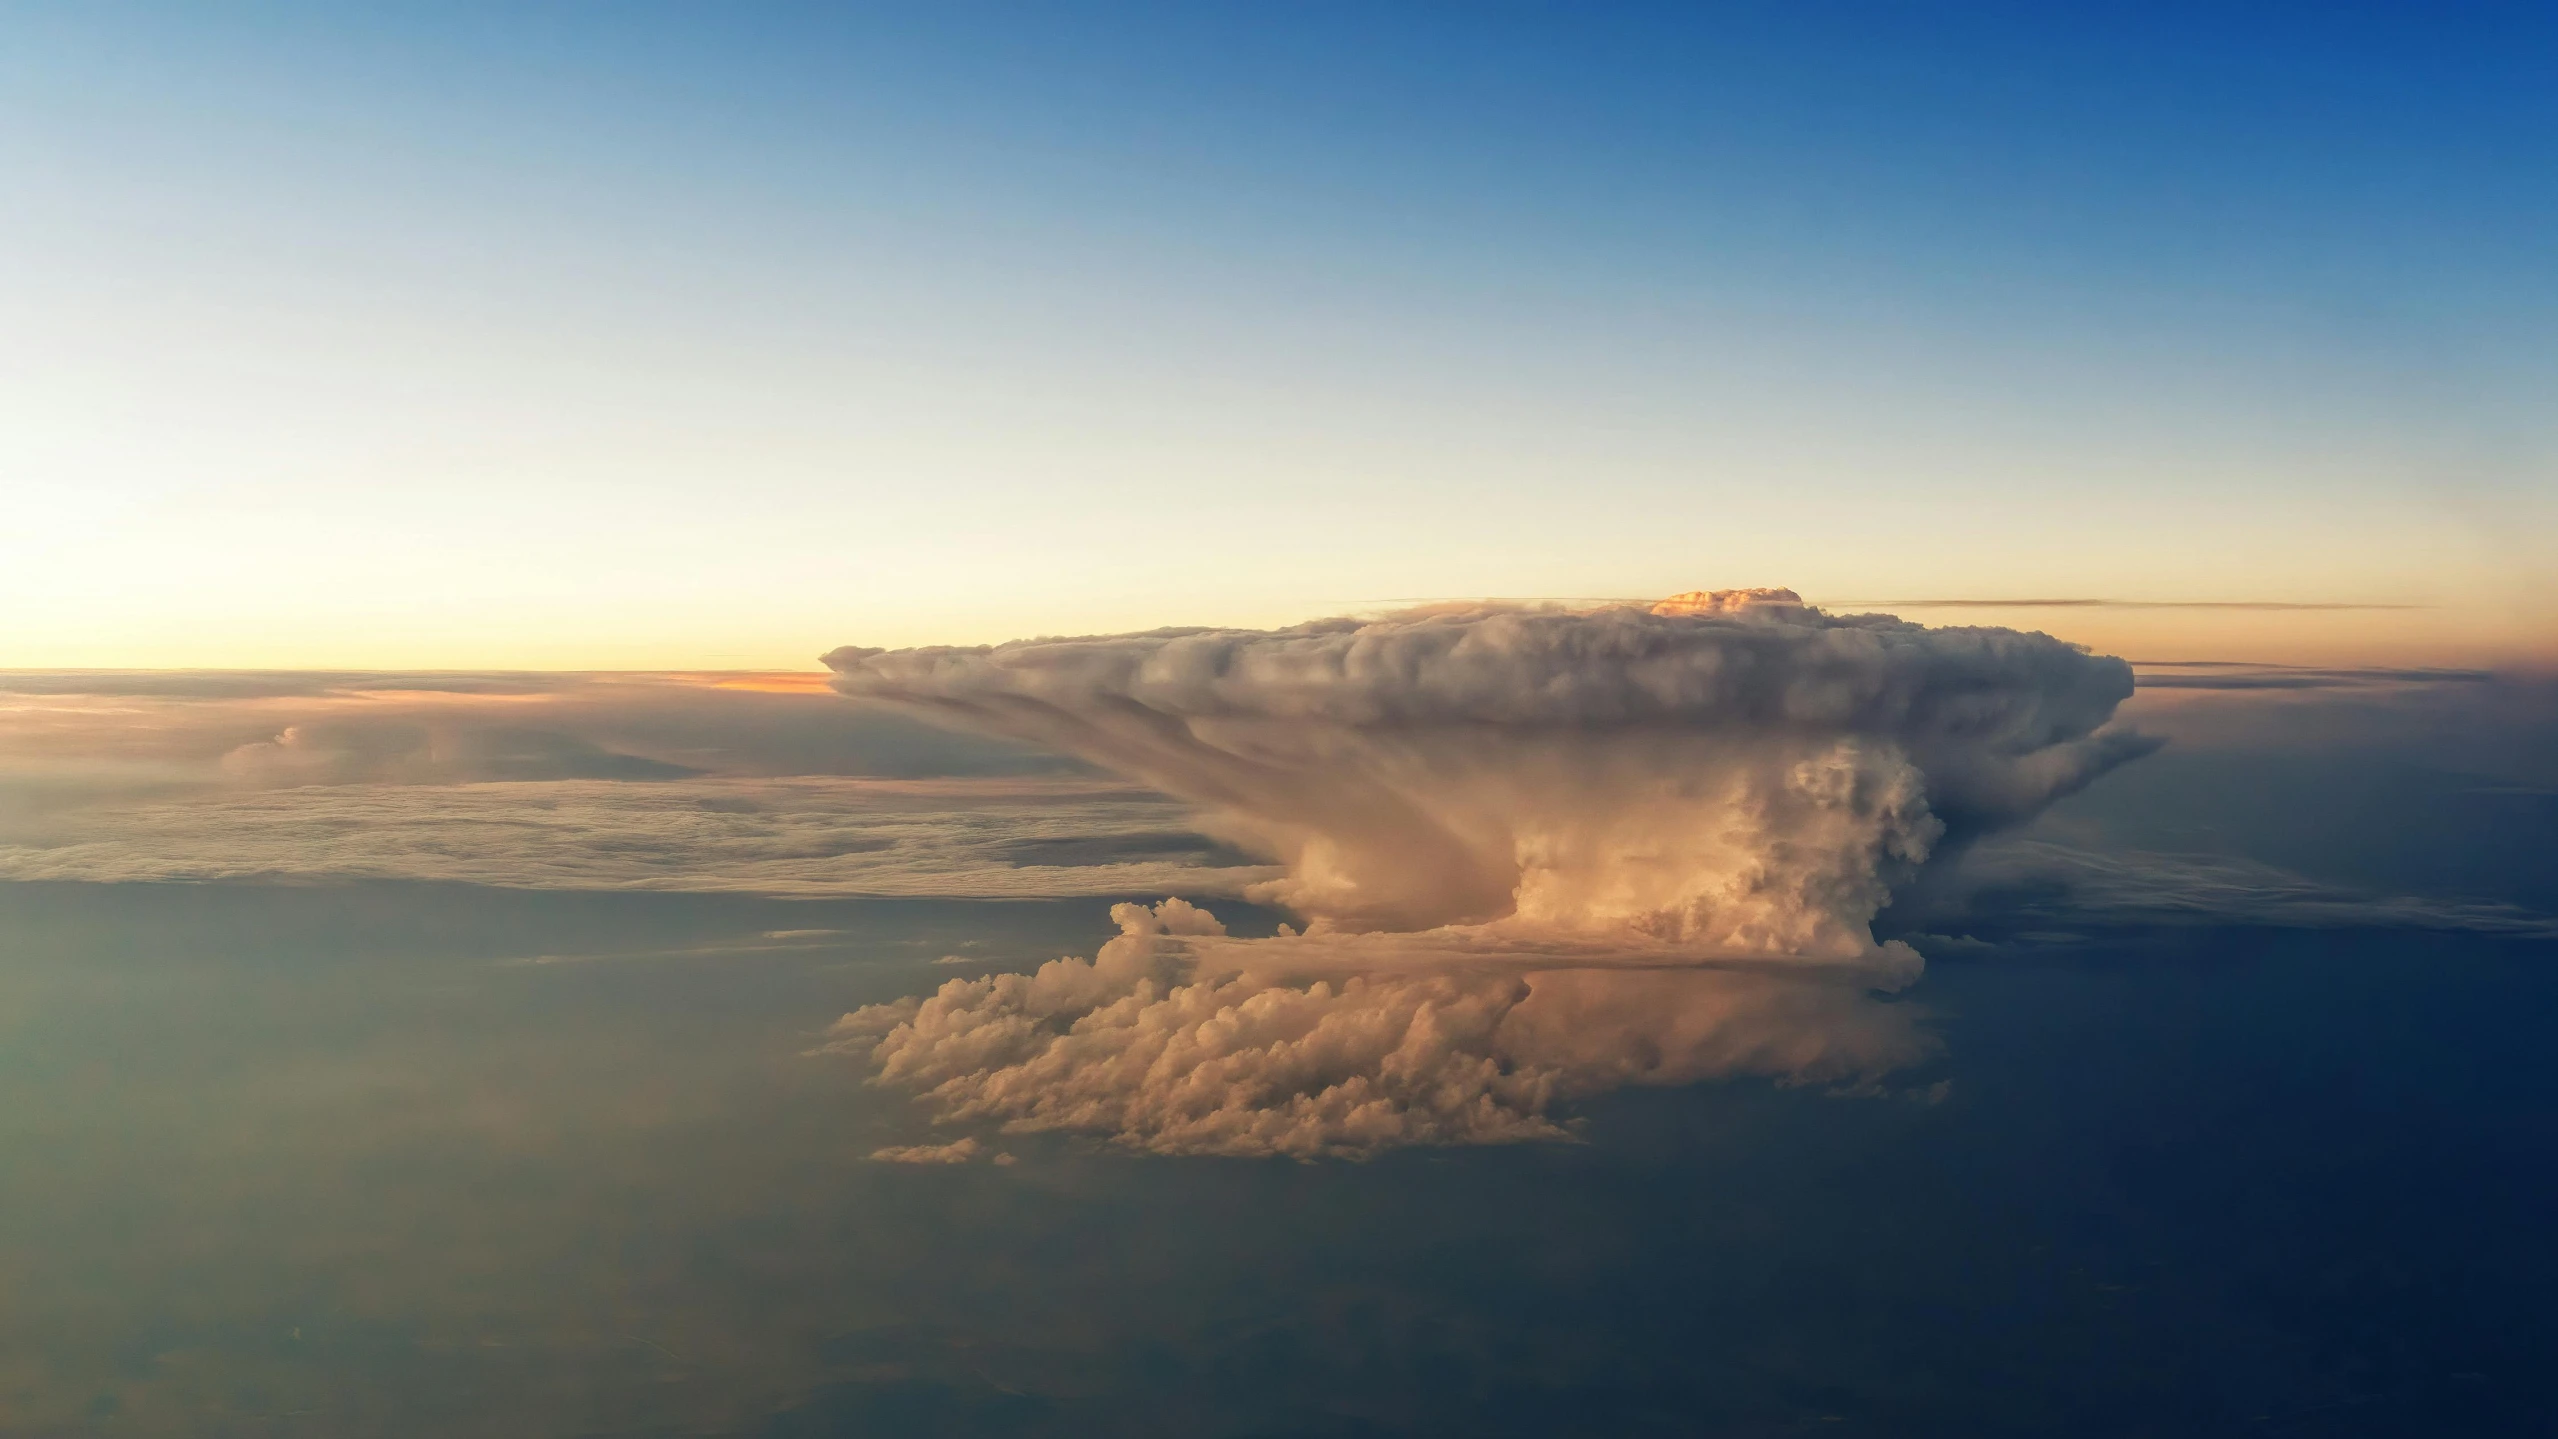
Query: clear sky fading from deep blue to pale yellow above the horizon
723 336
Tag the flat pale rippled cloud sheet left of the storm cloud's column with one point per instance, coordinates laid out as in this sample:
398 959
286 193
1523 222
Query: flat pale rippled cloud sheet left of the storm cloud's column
766 837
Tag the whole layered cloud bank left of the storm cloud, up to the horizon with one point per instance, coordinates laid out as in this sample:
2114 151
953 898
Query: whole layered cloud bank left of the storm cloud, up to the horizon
743 783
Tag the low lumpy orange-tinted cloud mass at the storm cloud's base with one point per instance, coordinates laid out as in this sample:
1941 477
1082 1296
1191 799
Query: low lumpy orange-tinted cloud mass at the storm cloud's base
1175 1039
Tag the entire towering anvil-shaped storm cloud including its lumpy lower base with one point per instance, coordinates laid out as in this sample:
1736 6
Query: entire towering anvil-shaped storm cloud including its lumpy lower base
1536 852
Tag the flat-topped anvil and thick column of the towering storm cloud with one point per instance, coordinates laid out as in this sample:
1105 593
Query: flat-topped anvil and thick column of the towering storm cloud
1743 778
